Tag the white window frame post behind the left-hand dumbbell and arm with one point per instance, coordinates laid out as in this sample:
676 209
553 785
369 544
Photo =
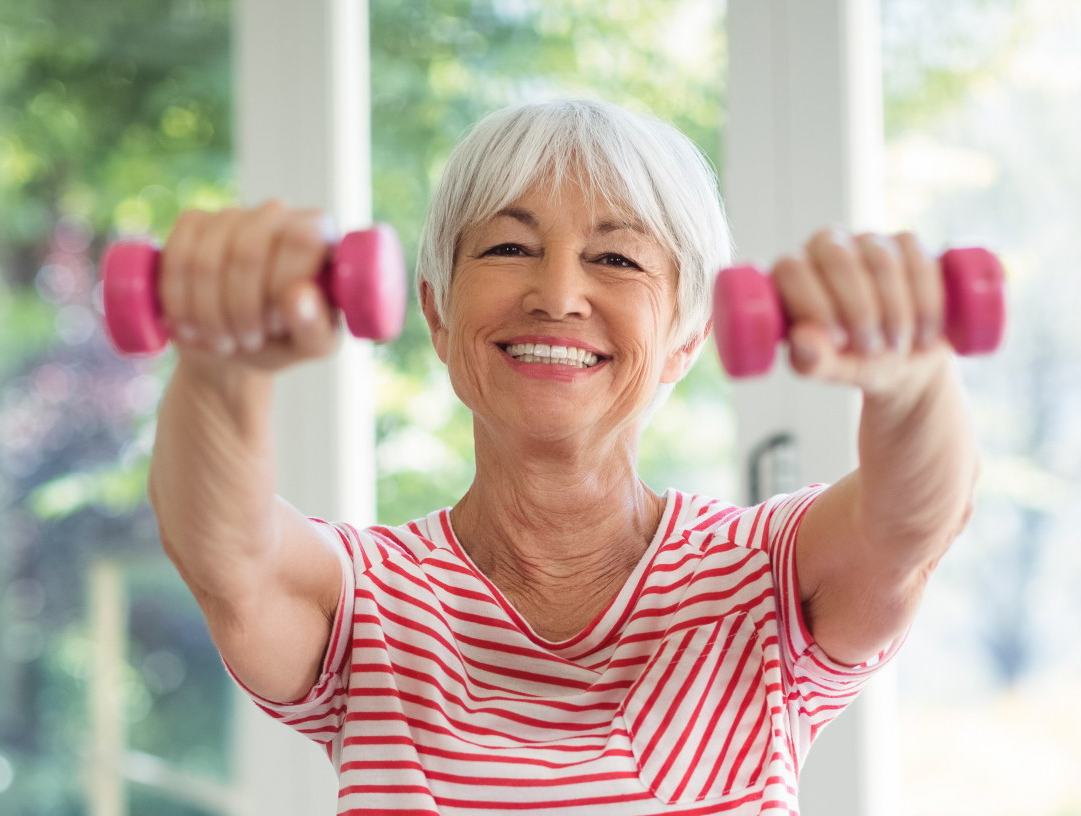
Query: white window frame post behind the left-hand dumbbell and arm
303 135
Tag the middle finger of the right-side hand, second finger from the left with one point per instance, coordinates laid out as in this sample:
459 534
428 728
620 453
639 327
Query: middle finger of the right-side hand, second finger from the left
835 259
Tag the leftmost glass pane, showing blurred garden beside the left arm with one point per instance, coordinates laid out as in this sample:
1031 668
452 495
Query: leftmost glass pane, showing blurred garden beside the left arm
113 118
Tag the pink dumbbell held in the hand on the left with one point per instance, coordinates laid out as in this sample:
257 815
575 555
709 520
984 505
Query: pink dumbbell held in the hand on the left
365 278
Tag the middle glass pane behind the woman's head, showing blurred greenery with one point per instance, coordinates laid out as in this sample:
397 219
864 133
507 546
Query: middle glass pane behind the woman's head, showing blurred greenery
438 68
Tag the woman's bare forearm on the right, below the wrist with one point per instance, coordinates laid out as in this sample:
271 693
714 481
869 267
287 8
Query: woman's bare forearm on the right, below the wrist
918 465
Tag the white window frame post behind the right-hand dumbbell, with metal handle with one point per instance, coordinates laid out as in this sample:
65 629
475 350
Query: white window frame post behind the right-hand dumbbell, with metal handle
805 151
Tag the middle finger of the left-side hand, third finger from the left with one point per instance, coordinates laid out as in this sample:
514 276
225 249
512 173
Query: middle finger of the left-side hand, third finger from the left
247 285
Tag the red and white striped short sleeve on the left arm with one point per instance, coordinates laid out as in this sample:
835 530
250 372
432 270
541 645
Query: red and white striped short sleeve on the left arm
321 714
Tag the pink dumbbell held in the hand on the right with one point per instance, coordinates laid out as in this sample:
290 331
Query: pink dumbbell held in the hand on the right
749 320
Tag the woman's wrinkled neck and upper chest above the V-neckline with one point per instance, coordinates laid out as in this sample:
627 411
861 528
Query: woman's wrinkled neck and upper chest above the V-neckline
557 528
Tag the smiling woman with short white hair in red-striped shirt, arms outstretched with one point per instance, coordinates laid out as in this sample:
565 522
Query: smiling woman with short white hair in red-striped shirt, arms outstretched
564 639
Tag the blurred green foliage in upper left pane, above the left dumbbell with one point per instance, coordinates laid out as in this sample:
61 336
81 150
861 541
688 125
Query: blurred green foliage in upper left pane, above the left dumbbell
118 114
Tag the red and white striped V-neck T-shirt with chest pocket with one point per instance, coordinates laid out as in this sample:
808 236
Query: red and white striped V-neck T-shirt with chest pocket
698 691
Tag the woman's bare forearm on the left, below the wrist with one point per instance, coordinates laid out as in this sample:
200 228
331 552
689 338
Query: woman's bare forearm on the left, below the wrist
212 476
